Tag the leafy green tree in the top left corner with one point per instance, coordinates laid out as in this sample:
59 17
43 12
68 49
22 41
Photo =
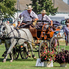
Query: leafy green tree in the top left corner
7 7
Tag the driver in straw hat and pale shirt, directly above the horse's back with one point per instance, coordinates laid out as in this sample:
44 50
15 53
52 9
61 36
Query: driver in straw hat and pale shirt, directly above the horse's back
28 16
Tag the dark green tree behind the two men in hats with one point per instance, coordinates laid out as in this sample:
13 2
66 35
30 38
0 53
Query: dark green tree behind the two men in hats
47 5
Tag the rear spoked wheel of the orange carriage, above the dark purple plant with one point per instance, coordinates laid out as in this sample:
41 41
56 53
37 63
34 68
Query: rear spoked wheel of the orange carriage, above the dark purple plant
54 43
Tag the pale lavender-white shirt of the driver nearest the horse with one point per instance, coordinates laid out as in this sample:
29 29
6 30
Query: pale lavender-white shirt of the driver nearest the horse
26 15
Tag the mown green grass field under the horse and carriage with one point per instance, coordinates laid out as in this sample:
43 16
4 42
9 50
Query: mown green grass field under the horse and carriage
27 63
